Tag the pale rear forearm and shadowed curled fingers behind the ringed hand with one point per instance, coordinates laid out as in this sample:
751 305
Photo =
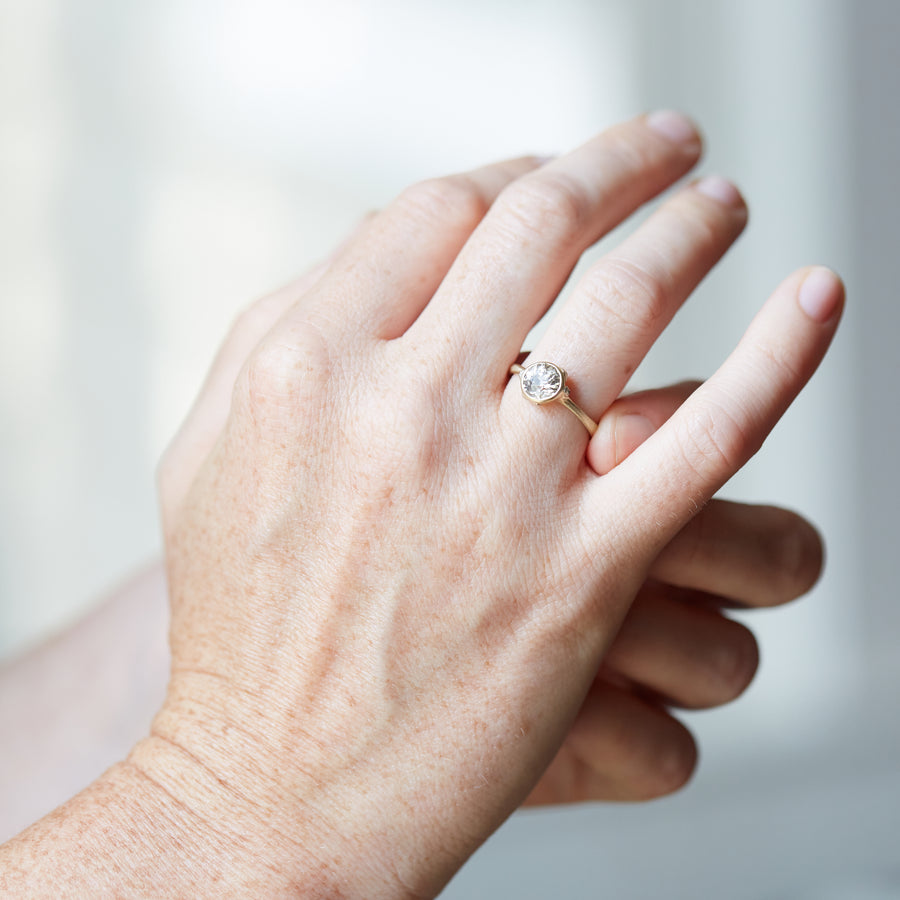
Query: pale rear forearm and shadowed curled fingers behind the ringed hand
62 732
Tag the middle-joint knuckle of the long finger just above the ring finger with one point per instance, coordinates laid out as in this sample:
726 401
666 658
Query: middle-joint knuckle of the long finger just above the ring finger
547 205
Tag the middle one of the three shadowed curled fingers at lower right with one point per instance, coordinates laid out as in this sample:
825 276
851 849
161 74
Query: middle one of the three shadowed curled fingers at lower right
682 652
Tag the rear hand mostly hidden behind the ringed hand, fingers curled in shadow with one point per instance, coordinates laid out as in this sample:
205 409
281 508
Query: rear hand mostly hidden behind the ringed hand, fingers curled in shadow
675 646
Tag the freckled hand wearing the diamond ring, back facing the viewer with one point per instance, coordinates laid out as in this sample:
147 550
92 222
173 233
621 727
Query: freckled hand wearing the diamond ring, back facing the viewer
393 580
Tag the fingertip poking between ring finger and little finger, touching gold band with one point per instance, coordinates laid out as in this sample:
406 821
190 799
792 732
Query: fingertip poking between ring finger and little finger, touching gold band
630 421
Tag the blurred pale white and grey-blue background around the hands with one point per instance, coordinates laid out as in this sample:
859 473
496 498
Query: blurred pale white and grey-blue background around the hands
161 165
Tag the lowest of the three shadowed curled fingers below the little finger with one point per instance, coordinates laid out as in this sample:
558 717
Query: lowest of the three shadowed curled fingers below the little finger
621 748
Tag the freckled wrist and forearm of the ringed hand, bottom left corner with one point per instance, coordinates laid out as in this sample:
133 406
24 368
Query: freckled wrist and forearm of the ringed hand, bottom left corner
157 825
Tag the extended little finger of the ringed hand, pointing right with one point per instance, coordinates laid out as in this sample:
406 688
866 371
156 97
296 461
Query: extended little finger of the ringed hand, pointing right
672 475
